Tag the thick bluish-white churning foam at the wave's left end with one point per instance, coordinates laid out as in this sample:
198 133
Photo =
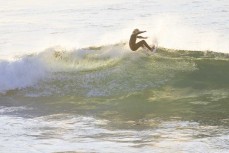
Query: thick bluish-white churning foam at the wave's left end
20 73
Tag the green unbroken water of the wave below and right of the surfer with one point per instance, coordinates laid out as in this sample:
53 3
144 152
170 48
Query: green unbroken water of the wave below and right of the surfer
185 85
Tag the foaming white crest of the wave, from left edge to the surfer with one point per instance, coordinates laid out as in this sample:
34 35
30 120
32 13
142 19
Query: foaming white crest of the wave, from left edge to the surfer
27 71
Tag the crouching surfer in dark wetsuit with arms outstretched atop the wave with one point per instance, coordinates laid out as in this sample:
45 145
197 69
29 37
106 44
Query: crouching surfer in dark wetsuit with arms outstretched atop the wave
134 46
